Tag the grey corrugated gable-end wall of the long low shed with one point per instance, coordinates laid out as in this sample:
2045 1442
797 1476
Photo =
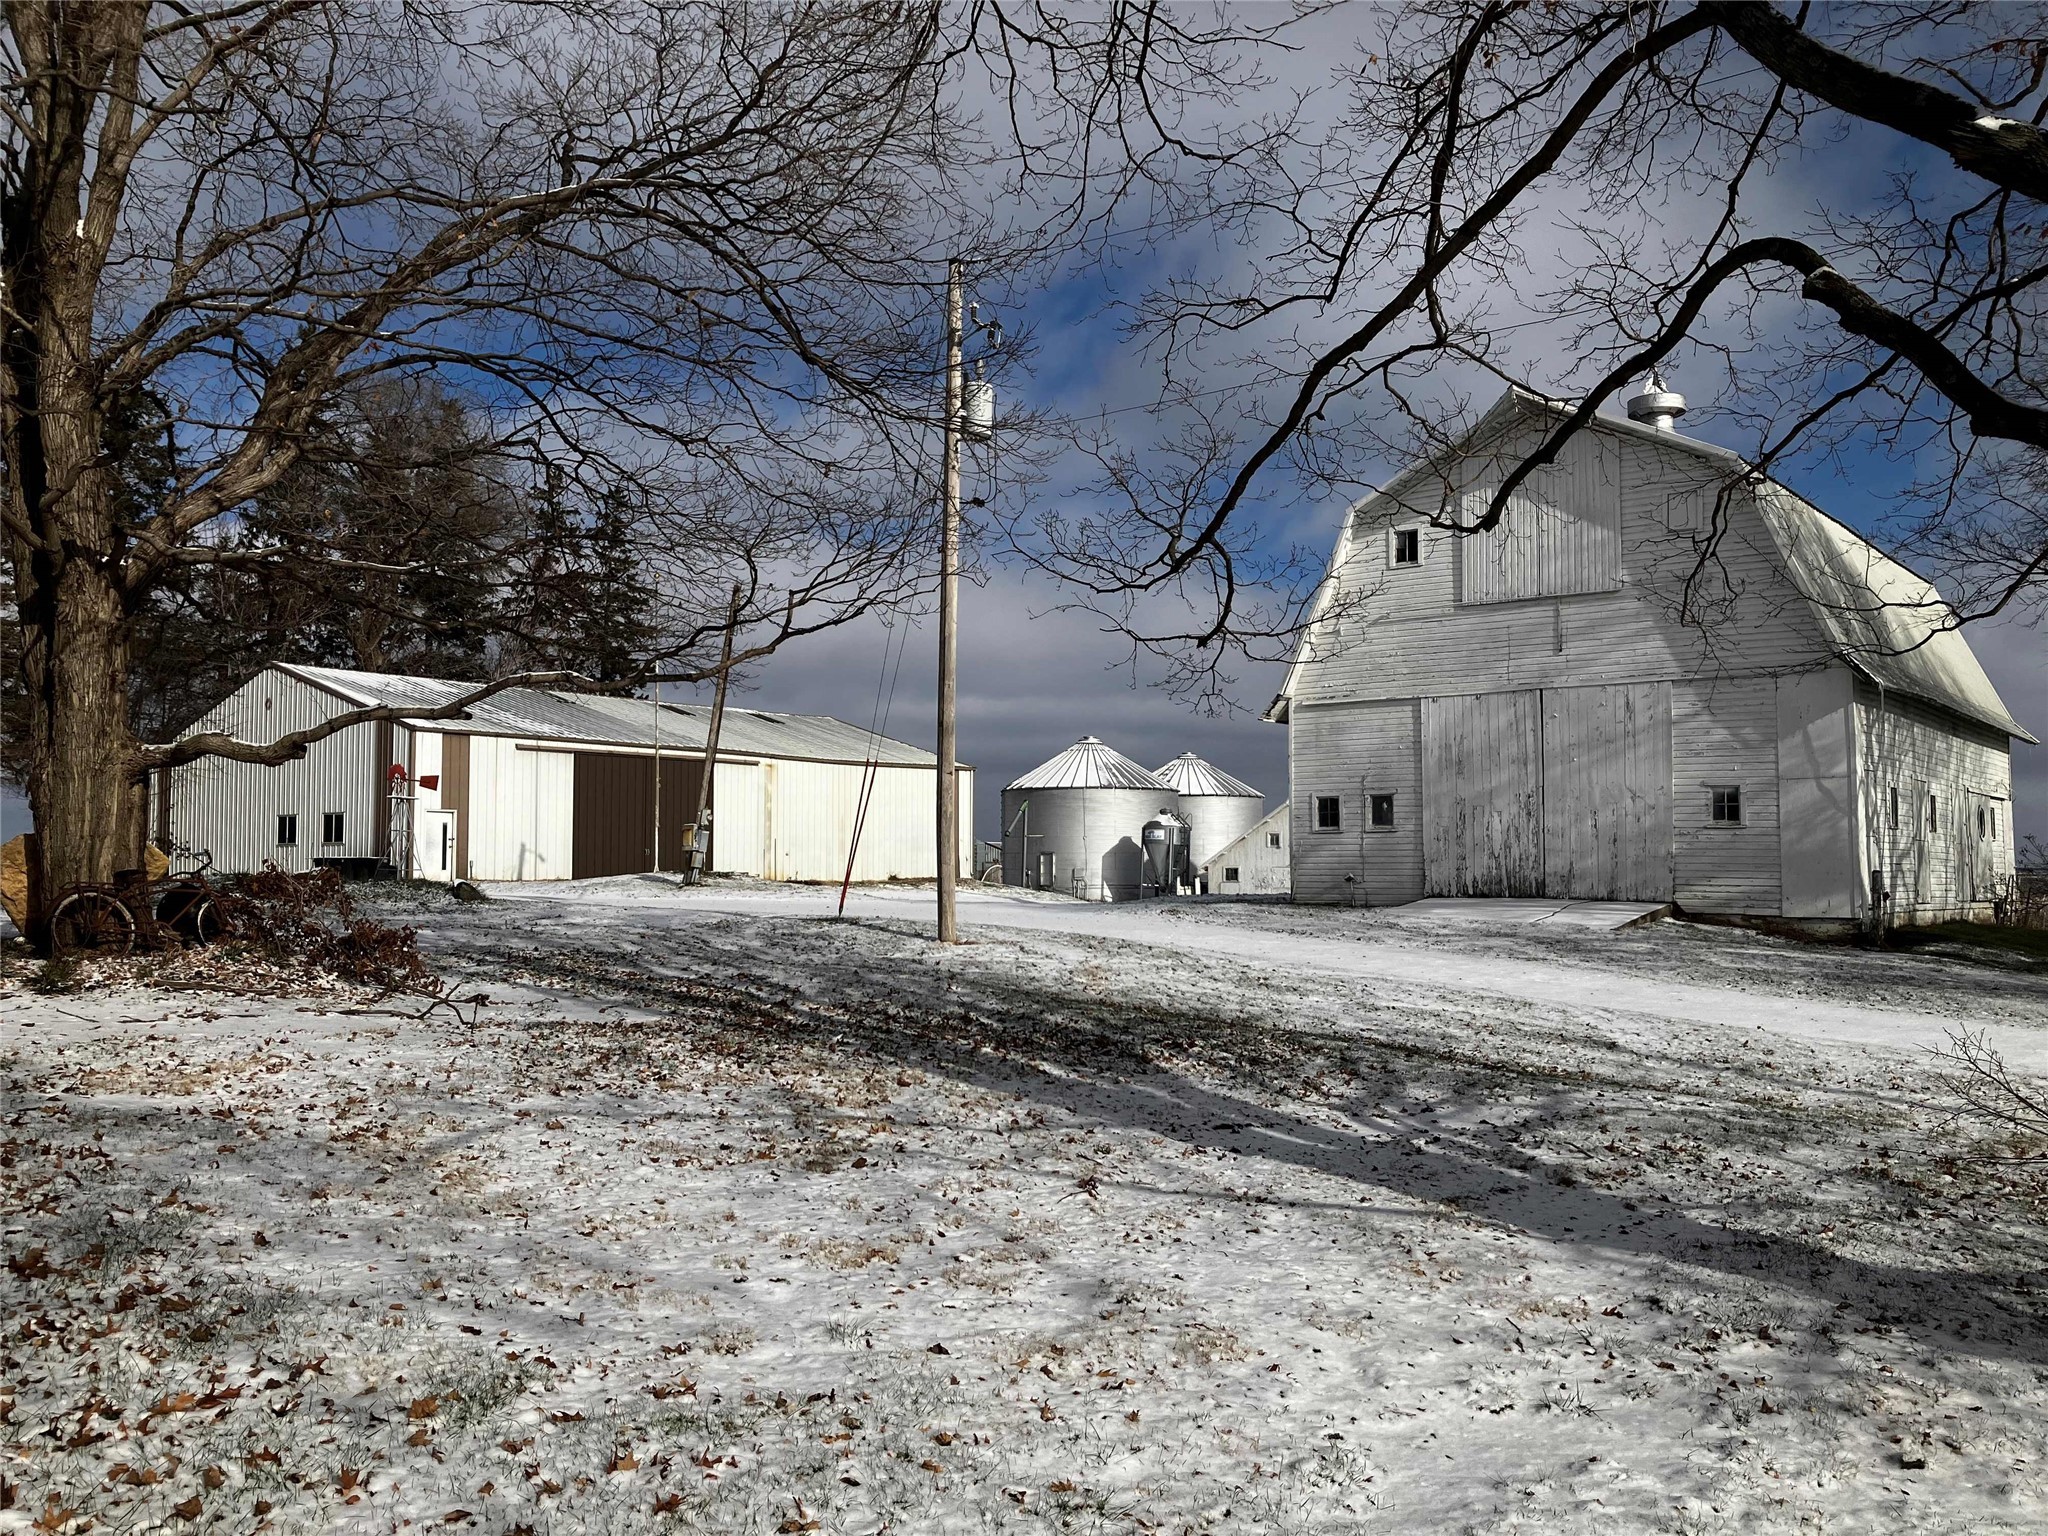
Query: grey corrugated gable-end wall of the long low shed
232 808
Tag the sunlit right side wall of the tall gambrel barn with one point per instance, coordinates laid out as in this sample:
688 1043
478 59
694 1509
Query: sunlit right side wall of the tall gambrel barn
1936 861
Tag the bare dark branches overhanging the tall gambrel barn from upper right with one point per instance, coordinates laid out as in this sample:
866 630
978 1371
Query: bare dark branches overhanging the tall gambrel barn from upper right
1570 196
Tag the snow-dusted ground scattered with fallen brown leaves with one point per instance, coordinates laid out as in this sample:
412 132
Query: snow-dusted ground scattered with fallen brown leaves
726 1215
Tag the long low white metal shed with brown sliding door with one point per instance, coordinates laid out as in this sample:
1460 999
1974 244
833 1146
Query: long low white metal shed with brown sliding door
538 785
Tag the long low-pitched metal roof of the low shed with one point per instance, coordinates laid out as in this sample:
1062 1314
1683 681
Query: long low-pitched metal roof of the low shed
609 720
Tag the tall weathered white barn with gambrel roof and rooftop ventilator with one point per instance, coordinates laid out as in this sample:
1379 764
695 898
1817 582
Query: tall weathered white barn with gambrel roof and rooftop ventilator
1662 679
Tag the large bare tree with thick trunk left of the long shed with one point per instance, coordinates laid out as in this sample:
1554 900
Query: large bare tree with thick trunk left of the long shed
685 249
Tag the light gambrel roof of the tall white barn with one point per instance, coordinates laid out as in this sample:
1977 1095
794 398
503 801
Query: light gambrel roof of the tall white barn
1877 615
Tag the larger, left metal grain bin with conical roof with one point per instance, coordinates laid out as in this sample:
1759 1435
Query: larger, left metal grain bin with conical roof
1076 824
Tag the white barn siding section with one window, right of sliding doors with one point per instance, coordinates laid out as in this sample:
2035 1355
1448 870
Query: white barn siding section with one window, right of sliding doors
1725 734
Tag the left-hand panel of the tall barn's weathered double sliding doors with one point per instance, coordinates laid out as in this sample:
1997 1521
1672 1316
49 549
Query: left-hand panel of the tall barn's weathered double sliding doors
1482 787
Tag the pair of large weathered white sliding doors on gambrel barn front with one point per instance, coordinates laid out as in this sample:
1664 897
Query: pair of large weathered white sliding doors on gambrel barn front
1558 792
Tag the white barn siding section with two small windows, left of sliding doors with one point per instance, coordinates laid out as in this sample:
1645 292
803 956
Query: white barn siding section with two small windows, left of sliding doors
1357 751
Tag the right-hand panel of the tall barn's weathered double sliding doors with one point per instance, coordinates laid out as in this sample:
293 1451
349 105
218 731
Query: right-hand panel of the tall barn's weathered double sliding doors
1607 792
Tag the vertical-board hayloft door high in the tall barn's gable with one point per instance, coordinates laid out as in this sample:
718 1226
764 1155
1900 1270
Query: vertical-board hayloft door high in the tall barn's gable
1562 534
